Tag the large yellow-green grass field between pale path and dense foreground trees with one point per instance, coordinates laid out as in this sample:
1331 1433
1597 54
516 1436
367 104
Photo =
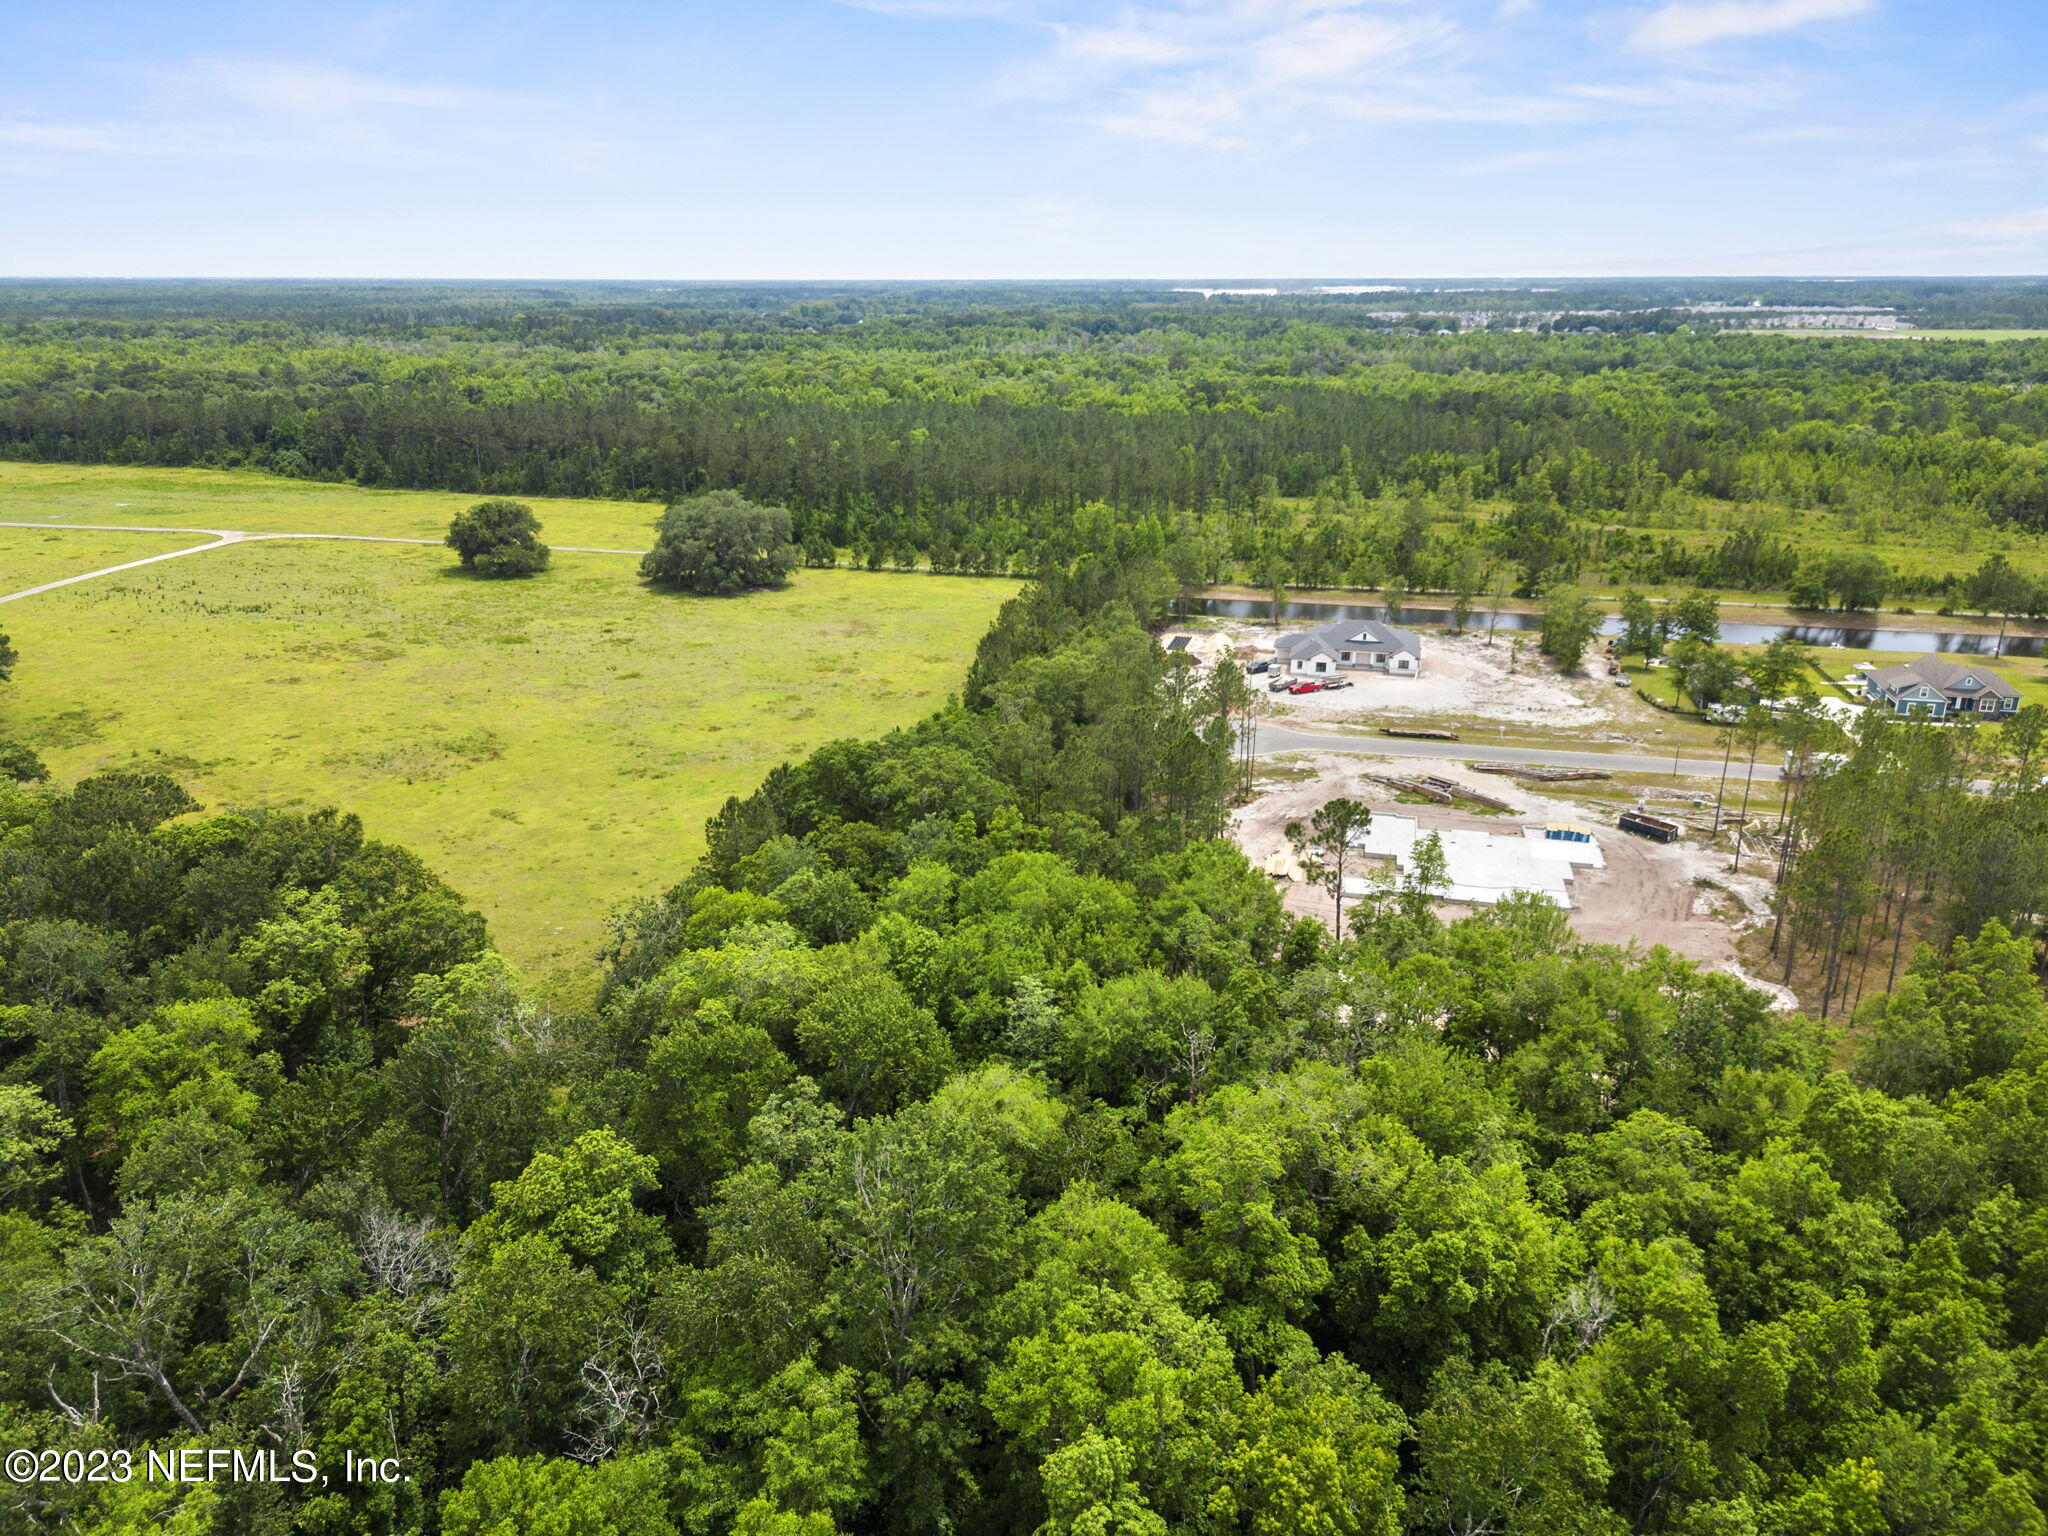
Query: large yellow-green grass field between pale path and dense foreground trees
552 746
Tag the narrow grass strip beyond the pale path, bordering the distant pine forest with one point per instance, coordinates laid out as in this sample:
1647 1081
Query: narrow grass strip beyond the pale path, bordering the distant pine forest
237 499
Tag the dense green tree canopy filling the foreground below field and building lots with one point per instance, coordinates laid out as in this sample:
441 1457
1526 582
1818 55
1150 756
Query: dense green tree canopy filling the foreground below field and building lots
970 1142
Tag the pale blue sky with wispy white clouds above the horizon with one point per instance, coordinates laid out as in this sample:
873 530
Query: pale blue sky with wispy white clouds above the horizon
1023 138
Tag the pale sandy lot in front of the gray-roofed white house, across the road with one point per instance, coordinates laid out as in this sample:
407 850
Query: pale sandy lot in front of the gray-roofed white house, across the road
1461 679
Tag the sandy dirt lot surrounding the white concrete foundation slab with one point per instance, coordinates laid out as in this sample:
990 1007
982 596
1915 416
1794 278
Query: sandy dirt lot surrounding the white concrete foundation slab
1646 896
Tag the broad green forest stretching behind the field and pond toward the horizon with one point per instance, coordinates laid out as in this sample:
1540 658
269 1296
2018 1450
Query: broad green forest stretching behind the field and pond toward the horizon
972 431
